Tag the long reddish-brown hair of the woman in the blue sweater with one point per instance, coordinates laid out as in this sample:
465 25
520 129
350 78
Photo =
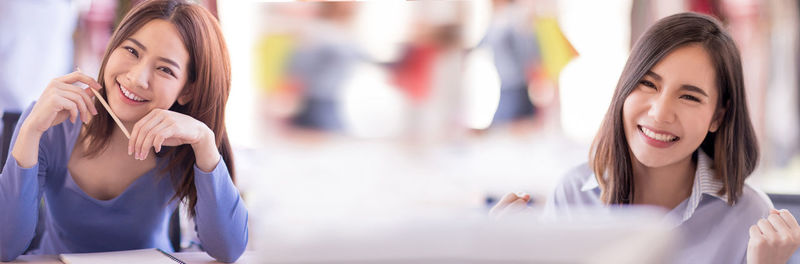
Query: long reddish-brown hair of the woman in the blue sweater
208 86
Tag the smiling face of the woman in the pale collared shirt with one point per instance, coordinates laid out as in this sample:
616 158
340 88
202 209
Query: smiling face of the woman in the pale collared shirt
672 109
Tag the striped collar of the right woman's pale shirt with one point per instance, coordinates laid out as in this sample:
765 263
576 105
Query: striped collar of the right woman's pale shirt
705 182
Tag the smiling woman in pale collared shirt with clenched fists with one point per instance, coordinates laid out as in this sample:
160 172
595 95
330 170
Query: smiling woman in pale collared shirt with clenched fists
678 136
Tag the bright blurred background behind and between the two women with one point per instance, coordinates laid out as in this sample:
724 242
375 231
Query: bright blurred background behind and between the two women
341 110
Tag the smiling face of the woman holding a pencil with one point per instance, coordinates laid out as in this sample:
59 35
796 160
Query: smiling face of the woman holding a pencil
146 71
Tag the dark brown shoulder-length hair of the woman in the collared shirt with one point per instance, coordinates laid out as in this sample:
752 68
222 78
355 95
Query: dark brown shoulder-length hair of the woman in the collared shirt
733 146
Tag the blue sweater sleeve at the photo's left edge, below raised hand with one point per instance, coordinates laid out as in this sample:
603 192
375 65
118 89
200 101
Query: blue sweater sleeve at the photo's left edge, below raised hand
20 193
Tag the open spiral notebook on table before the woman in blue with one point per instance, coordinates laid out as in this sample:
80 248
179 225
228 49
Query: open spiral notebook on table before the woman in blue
150 255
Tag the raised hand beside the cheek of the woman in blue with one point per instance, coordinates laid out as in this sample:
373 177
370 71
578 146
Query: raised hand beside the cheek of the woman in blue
62 99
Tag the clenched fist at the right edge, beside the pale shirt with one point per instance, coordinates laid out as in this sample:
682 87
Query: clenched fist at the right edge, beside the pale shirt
774 239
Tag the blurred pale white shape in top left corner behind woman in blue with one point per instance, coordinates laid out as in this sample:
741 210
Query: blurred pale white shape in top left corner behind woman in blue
32 32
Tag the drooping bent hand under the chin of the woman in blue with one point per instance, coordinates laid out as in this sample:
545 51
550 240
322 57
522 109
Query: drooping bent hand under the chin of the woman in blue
167 128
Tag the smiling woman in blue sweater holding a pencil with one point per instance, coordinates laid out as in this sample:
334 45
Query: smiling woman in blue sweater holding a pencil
166 75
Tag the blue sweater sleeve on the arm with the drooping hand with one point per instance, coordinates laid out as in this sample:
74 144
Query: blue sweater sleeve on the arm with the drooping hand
221 216
